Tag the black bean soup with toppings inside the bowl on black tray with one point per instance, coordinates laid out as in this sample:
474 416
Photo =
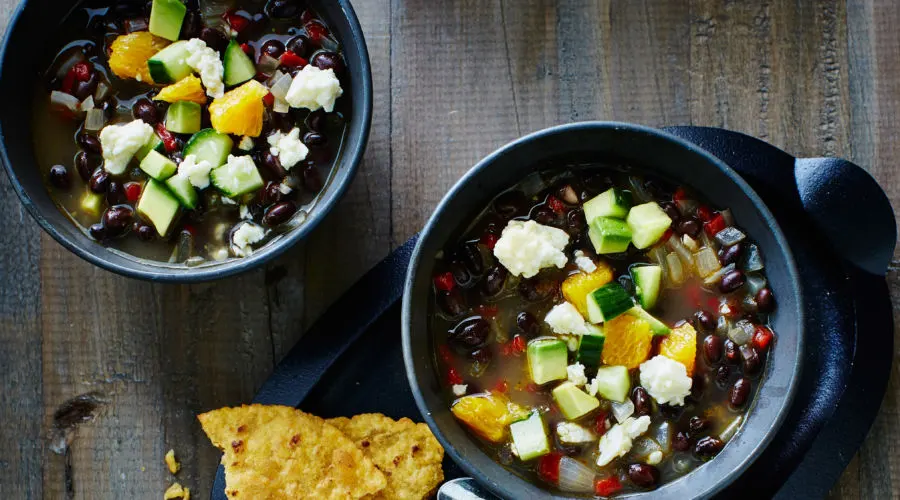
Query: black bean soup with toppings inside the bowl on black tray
599 331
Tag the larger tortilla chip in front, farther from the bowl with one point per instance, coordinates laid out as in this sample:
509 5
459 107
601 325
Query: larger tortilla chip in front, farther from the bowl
277 452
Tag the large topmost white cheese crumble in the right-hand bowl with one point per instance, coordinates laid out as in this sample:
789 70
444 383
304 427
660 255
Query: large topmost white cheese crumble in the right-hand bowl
524 248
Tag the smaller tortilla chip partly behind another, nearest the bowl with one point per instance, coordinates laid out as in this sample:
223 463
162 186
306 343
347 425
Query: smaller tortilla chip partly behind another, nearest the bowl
406 452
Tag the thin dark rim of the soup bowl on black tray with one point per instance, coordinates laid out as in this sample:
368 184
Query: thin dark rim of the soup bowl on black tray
416 261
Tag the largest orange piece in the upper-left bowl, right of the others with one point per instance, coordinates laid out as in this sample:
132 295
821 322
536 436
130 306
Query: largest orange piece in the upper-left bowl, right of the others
239 111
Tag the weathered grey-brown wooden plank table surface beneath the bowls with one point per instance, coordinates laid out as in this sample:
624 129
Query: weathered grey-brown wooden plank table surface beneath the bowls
454 79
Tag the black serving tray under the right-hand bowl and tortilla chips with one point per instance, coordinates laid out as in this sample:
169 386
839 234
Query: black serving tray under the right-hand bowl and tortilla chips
842 275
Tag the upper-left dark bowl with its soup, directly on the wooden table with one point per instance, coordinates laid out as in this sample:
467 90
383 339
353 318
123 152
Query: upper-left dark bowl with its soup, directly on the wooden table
183 141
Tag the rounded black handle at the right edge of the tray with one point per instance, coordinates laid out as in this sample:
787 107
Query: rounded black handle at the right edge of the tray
850 209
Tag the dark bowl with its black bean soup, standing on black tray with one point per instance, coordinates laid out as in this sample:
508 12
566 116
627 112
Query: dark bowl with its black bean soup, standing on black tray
602 309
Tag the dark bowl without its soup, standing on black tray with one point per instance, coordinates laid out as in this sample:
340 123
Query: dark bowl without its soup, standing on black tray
655 152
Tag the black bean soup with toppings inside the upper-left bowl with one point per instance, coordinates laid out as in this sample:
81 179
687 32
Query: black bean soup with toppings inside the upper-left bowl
134 62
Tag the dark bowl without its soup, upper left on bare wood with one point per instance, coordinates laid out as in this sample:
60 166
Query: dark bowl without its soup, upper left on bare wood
20 70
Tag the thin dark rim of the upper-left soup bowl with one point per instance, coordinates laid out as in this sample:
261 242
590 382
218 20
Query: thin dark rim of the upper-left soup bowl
355 144
